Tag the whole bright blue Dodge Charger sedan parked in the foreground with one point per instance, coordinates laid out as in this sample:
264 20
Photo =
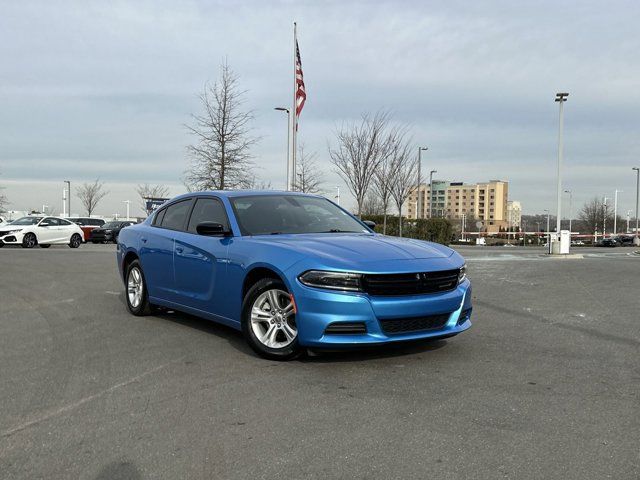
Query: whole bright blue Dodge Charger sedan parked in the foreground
291 270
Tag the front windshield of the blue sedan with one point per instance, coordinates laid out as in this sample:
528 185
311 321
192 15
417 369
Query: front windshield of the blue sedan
276 214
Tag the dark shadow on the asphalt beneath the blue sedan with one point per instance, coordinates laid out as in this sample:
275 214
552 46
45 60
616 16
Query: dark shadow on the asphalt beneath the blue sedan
357 354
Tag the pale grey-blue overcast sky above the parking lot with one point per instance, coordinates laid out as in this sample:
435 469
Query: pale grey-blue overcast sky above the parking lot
103 89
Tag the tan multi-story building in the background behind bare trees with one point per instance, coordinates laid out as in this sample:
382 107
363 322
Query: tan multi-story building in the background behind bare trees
485 202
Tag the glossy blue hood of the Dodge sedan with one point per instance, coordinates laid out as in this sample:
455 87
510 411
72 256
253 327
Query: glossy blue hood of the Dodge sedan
357 248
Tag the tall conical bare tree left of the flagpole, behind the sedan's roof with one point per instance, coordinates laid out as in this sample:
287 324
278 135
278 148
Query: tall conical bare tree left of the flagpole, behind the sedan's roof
220 157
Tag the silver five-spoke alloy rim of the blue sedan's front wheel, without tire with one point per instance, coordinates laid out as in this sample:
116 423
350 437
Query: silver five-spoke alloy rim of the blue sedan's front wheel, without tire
273 319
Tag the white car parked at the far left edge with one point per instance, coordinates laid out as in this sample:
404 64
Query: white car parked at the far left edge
43 231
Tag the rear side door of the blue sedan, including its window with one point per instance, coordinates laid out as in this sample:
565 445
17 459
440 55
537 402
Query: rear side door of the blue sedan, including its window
156 249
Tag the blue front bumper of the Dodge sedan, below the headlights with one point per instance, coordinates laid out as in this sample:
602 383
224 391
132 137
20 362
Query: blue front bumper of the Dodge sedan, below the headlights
318 308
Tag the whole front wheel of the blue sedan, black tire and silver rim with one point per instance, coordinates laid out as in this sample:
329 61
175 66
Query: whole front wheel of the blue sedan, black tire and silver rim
268 321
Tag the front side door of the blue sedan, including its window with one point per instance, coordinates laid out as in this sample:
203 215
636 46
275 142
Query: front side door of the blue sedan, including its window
200 262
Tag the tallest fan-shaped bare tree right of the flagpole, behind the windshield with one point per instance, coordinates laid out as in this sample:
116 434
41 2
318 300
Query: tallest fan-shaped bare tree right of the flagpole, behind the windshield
360 149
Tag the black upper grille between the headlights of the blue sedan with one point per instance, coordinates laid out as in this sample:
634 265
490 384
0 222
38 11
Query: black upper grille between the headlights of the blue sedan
410 283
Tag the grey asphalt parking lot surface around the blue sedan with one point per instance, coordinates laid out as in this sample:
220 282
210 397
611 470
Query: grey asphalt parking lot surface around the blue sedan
546 384
